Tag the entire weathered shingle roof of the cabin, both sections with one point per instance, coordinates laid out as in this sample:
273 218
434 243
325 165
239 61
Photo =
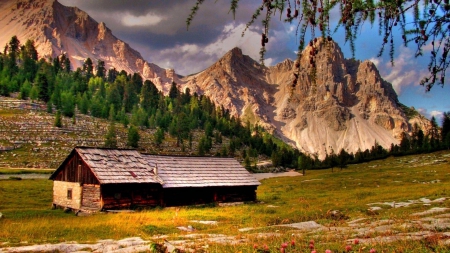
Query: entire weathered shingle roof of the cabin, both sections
116 166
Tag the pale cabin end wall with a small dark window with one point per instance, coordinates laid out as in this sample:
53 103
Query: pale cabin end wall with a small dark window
61 194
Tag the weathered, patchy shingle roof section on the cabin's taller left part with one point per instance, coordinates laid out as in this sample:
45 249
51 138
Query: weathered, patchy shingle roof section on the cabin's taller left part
112 166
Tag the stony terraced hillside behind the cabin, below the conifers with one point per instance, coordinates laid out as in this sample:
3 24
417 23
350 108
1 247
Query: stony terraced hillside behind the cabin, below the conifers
29 138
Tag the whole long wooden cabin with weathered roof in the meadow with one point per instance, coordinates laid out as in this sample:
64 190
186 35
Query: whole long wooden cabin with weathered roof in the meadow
93 179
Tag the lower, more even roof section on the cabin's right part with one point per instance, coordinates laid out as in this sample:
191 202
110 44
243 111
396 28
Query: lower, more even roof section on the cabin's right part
201 171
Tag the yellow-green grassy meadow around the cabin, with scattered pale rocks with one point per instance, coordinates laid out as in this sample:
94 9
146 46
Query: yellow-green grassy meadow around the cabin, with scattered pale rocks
28 218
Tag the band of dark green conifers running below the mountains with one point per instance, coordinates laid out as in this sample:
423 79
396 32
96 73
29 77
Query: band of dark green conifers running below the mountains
127 99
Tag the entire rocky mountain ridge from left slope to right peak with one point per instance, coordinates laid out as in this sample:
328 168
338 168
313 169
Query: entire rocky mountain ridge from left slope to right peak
345 105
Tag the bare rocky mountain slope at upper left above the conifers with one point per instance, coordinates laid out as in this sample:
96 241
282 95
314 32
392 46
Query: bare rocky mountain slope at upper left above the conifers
58 29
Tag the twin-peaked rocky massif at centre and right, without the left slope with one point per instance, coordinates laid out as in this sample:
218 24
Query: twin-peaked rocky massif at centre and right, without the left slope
348 105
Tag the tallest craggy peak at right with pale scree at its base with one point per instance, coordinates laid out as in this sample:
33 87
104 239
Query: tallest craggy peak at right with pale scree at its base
348 106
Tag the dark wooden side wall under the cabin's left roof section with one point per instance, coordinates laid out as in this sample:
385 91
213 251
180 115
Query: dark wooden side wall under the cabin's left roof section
120 196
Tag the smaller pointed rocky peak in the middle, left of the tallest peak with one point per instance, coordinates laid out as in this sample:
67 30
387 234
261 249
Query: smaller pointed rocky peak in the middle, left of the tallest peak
237 83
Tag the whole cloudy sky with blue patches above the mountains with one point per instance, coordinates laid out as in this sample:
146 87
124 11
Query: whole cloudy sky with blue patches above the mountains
157 29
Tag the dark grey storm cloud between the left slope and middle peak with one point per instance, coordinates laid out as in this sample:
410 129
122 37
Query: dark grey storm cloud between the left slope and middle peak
157 29
